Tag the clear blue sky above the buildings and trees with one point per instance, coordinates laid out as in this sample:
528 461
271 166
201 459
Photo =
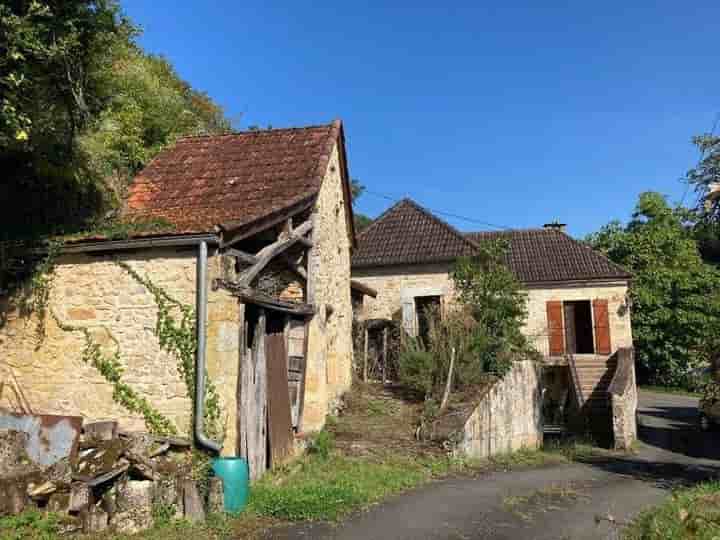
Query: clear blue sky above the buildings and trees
513 113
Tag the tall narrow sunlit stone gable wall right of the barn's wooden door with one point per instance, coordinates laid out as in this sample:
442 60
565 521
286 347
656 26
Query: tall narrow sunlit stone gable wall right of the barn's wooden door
330 353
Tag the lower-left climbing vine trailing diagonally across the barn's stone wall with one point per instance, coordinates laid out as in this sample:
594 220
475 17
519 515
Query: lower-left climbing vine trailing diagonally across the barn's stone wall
110 367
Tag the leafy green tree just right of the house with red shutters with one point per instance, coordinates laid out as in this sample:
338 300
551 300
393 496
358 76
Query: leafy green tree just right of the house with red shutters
675 305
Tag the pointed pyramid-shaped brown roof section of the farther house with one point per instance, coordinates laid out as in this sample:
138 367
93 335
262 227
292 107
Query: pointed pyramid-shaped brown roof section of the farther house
407 233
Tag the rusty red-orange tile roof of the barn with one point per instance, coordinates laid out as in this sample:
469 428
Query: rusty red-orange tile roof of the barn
233 180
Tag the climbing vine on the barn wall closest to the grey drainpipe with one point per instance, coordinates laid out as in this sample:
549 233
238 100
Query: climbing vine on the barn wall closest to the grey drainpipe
178 338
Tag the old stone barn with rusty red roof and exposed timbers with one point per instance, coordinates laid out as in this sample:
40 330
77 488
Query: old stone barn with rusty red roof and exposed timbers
259 221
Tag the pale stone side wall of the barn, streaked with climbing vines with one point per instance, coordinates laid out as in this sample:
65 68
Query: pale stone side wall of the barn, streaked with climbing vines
96 293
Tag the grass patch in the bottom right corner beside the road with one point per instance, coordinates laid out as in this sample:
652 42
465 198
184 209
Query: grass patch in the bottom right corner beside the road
691 513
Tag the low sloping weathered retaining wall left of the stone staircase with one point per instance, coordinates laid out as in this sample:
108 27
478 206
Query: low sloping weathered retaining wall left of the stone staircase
509 417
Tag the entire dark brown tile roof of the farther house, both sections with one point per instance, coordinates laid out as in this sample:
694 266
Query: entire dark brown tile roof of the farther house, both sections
409 234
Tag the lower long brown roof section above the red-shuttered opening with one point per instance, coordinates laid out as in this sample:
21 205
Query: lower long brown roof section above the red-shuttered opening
546 255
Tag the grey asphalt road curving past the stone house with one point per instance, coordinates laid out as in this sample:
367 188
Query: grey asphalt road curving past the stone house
562 502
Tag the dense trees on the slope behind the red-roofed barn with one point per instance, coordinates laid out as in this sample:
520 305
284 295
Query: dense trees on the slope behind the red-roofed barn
82 108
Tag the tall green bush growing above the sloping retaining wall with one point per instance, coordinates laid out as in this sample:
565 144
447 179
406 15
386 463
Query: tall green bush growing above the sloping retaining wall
484 329
